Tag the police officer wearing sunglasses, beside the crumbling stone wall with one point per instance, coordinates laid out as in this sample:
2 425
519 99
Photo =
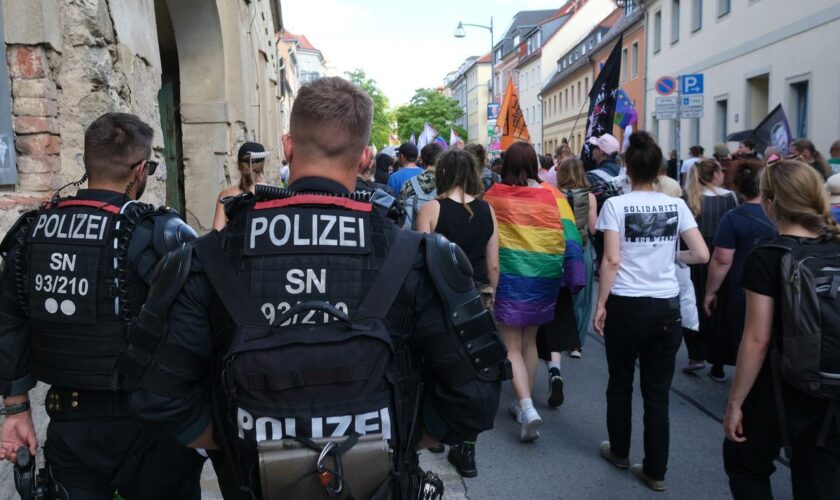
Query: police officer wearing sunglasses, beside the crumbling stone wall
75 273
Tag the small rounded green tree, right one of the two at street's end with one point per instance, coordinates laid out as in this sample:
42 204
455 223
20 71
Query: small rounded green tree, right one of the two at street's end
428 105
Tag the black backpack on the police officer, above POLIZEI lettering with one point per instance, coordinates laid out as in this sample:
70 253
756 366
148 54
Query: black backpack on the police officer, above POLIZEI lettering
289 378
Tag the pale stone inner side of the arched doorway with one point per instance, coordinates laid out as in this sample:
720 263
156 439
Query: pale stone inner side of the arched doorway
203 110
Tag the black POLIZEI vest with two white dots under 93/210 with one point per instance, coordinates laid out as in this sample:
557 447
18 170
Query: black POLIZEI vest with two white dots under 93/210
73 274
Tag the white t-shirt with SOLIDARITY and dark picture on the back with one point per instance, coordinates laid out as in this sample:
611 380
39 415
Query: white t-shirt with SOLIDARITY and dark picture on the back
647 223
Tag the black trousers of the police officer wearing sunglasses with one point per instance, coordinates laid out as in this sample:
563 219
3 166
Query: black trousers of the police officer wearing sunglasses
89 460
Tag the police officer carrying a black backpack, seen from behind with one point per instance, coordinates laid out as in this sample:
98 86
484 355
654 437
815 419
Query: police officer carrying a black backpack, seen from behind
321 242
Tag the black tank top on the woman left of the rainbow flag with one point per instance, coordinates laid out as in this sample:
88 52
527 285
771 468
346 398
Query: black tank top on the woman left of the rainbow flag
470 234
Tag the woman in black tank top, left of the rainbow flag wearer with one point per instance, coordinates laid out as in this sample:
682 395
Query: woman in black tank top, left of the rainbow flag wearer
465 219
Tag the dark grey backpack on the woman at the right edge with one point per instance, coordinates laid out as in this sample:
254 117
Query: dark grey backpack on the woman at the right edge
809 341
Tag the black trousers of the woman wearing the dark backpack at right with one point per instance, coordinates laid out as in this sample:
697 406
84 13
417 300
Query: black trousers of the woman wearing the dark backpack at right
815 470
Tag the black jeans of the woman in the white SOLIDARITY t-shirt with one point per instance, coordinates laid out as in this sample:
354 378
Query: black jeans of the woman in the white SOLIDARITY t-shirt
649 330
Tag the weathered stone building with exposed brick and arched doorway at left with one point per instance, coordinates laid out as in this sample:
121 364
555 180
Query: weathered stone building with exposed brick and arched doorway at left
203 73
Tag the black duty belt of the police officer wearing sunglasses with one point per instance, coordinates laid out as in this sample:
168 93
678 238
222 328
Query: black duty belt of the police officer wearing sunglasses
73 404
